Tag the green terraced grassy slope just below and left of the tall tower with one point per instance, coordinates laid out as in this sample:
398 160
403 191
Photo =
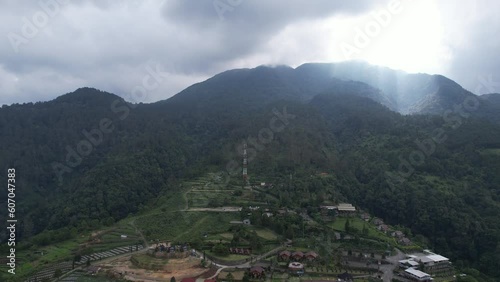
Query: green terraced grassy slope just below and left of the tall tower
171 222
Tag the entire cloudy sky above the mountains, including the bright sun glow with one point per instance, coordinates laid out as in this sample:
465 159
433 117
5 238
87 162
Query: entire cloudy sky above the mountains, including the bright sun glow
52 47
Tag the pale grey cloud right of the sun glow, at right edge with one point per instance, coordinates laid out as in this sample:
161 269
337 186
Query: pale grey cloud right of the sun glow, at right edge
472 34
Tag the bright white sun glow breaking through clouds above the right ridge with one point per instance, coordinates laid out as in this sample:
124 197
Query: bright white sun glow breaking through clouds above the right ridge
411 40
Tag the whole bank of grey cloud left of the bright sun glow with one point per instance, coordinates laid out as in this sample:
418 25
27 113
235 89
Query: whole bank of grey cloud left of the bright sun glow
105 44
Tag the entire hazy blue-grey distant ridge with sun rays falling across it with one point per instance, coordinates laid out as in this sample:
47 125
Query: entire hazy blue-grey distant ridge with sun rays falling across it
399 91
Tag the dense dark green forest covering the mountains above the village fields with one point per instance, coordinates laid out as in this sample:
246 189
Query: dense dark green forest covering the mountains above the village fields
89 158
